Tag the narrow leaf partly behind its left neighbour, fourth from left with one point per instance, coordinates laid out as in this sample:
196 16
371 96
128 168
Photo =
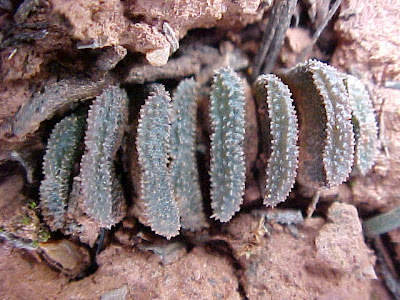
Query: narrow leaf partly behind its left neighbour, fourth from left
185 177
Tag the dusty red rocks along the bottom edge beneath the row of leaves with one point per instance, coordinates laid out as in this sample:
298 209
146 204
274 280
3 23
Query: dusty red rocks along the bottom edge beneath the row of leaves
323 261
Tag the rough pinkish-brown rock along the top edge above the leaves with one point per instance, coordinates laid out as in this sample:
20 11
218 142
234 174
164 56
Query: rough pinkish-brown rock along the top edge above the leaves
105 23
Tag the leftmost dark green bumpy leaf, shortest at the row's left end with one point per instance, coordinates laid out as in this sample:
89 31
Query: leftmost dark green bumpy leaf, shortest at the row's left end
63 150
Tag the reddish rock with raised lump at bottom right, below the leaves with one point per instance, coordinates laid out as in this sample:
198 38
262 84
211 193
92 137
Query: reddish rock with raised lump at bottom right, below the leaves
323 261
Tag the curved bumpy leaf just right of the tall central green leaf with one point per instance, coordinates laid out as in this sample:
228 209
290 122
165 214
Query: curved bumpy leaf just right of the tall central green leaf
280 132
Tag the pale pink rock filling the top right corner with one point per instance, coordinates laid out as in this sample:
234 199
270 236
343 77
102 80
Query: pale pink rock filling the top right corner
368 39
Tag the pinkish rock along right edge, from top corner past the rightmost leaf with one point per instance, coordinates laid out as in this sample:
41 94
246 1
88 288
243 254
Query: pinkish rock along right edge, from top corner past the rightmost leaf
368 48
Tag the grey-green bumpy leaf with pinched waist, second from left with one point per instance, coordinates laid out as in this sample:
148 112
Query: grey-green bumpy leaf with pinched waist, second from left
102 194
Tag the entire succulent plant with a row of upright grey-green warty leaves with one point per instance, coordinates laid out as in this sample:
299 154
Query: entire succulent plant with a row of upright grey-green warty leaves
322 145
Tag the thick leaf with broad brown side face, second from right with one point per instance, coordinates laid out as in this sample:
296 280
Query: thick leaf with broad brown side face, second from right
326 138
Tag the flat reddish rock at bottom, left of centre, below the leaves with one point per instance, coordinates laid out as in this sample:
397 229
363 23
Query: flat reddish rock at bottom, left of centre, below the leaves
199 275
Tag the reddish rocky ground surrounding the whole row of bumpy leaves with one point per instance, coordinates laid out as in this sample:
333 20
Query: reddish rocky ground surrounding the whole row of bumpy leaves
250 257
